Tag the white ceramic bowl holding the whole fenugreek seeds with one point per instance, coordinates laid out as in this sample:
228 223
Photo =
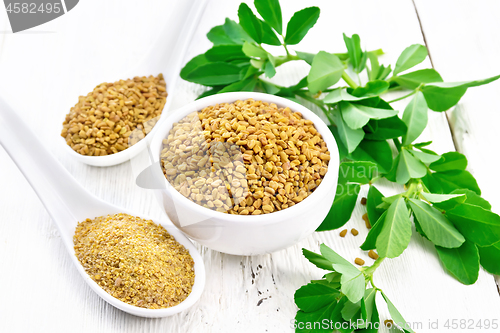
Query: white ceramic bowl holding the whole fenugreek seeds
251 234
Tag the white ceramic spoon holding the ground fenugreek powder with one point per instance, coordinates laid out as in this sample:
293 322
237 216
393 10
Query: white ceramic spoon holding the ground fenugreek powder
68 203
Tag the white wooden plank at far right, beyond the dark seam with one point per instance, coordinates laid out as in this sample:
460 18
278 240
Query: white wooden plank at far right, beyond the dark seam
467 49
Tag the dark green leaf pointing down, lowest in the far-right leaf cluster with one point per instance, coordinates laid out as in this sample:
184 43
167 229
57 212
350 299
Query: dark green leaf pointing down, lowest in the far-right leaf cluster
462 262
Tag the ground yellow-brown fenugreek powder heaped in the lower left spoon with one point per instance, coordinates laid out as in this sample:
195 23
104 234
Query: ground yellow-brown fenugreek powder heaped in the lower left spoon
135 260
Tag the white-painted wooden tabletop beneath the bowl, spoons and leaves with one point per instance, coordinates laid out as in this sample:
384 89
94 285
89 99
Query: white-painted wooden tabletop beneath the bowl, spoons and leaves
42 74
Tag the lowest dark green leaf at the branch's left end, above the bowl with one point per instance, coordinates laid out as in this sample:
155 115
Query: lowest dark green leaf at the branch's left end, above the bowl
216 73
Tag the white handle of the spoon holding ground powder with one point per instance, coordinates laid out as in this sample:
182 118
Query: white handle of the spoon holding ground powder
64 199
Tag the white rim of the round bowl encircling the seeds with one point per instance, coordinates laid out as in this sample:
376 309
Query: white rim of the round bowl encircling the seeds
329 180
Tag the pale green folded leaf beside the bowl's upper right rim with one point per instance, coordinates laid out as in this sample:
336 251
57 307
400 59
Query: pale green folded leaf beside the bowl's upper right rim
357 115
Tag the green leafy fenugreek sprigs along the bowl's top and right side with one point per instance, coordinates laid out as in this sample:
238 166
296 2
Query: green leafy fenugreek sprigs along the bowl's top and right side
440 196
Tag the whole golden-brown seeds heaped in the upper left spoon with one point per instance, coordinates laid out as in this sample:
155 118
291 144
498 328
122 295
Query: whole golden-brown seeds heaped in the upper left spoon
115 116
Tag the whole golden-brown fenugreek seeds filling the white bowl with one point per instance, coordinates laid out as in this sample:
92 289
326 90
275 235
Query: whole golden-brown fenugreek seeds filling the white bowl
246 157
